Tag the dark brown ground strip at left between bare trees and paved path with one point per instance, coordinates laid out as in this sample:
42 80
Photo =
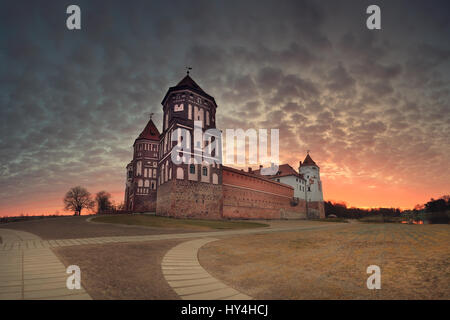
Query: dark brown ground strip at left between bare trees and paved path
78 227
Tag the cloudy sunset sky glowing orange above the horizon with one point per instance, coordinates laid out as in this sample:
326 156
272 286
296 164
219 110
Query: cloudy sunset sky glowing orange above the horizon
372 106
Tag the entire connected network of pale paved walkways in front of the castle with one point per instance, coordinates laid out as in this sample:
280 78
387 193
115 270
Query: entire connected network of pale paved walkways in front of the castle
30 270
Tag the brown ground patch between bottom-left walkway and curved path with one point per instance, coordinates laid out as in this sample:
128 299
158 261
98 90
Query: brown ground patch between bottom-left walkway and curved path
121 270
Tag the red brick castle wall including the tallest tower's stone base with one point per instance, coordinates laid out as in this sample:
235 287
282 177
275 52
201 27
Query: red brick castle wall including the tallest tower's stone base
241 196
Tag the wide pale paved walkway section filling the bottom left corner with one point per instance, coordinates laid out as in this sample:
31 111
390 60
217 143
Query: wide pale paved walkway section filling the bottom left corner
31 272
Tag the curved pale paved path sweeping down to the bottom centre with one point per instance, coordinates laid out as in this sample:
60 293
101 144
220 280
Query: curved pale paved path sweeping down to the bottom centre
189 280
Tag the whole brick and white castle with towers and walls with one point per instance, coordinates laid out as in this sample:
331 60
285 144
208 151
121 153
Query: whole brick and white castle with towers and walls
211 191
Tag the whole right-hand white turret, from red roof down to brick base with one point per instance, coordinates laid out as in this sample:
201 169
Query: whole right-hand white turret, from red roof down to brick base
314 195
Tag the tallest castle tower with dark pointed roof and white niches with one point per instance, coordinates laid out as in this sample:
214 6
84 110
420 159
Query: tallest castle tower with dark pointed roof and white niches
193 187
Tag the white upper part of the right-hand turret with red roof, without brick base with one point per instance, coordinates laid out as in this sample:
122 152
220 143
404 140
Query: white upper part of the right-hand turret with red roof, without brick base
311 173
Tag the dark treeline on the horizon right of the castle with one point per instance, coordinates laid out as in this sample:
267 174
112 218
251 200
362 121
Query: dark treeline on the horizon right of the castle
435 210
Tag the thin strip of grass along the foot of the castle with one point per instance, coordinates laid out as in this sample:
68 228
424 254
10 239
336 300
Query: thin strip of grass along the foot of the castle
164 222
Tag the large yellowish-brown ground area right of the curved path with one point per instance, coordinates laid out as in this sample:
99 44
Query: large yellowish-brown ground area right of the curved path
331 264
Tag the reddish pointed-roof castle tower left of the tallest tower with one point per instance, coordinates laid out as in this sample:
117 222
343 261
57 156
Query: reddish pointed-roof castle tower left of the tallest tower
142 171
